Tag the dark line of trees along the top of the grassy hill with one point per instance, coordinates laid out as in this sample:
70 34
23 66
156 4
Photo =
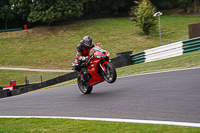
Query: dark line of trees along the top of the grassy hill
16 13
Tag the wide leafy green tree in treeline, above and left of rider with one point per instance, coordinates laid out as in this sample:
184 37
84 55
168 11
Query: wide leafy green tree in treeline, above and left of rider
48 11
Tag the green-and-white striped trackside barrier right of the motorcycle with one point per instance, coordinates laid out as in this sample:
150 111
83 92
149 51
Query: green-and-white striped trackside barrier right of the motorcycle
167 51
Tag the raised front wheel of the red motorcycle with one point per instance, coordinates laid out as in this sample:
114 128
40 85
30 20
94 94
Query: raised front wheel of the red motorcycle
110 74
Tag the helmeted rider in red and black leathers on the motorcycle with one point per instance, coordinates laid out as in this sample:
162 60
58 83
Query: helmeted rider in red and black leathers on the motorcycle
83 49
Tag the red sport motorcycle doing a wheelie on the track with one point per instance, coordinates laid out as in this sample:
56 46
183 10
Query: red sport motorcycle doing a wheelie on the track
98 69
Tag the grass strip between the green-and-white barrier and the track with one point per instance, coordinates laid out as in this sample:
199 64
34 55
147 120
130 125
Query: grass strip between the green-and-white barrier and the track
190 60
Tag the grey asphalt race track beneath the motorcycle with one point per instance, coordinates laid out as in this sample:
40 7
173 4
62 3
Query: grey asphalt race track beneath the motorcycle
167 96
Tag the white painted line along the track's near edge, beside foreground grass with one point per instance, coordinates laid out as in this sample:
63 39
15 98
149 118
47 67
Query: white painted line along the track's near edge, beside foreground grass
187 124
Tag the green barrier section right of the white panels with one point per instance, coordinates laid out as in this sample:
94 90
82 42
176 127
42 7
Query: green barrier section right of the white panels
191 45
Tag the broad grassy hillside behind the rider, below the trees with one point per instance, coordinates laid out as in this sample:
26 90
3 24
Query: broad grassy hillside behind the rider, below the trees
55 47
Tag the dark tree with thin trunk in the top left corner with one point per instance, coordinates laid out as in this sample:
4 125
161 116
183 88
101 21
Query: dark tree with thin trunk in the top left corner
6 11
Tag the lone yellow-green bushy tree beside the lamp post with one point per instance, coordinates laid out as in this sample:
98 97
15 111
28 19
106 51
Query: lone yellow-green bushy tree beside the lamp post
143 16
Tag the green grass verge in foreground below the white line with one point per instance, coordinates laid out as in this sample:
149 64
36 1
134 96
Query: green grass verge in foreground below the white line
81 126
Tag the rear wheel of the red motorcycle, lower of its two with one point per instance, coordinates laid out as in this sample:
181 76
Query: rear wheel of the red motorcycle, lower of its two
84 88
